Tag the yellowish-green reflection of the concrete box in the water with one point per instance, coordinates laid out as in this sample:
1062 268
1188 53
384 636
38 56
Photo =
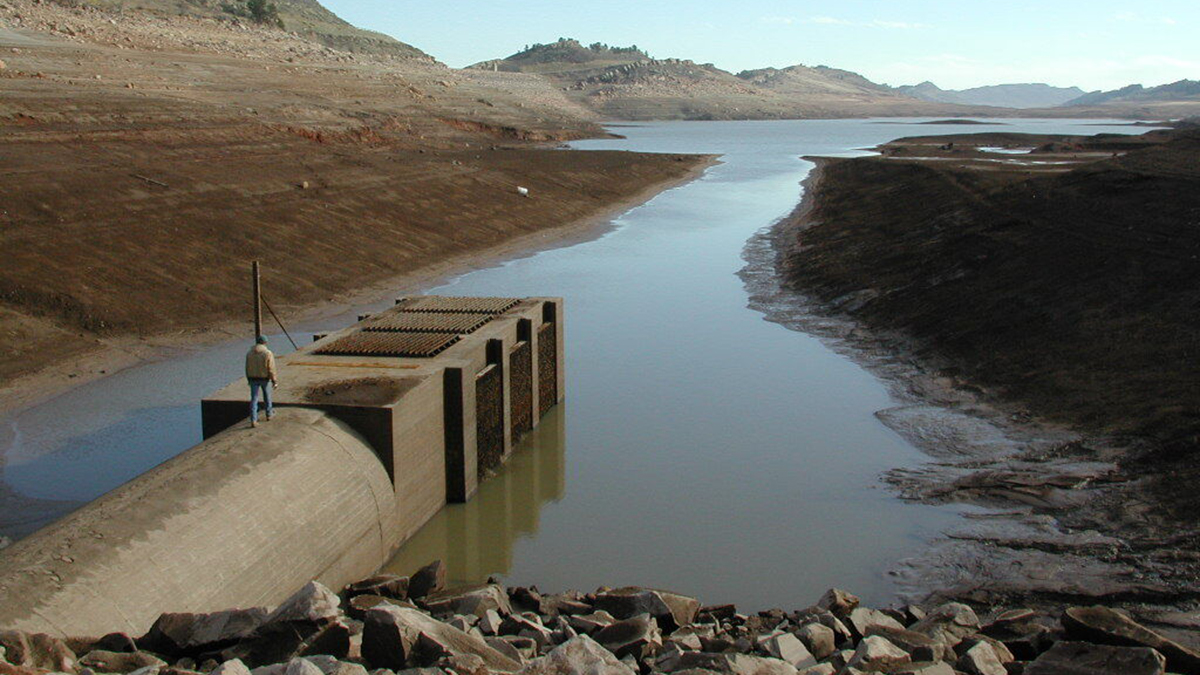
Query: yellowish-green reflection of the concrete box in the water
477 540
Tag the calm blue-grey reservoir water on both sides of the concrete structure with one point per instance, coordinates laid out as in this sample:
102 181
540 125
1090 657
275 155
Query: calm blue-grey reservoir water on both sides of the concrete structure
700 447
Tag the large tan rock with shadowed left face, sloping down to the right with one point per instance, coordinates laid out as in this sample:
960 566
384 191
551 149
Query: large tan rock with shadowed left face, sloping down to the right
395 637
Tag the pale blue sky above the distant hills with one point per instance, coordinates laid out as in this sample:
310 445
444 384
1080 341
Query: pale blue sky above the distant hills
1095 45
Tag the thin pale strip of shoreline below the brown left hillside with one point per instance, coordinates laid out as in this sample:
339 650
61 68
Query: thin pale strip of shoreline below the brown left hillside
125 353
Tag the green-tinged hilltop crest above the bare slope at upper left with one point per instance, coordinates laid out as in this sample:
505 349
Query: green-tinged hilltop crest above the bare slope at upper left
307 19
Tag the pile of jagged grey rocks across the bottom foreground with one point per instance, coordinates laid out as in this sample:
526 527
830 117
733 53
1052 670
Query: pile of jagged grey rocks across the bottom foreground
393 625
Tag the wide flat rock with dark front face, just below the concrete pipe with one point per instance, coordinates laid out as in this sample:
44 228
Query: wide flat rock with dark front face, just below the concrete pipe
178 635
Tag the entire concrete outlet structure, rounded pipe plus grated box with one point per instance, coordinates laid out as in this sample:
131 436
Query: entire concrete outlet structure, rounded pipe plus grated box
377 427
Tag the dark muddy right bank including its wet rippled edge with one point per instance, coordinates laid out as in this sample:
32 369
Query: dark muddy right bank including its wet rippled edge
1035 327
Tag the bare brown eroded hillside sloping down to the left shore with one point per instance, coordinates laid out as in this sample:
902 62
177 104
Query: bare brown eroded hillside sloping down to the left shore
148 160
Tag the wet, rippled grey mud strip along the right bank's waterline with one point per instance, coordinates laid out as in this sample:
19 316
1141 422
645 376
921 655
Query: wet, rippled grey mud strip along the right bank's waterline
1046 524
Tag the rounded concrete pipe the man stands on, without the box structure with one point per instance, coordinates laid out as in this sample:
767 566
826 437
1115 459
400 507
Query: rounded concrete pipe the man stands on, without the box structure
243 519
